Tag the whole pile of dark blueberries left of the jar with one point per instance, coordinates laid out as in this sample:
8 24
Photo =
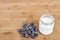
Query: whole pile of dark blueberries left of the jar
28 30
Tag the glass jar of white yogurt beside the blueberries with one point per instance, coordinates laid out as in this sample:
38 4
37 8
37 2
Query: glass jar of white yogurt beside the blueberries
46 24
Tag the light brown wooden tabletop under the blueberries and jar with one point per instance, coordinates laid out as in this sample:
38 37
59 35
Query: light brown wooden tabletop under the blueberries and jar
14 12
